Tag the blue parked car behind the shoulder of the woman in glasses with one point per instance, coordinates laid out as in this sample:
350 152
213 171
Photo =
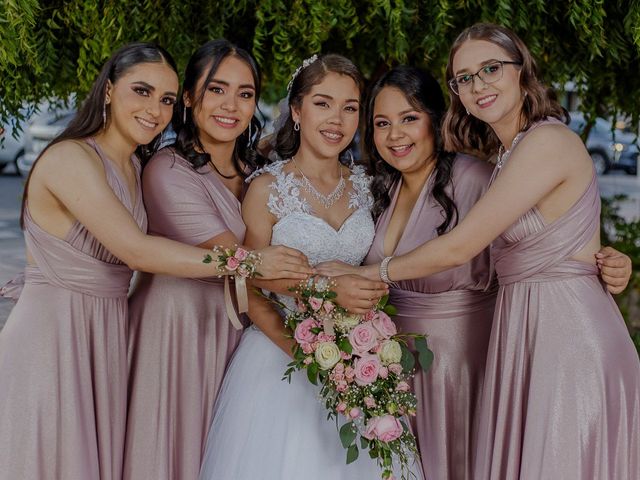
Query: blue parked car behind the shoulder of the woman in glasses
608 151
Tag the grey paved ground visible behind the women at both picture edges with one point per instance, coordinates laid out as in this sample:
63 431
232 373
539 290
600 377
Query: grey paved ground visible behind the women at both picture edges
12 243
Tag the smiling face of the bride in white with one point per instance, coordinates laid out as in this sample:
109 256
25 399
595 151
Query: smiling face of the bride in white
328 116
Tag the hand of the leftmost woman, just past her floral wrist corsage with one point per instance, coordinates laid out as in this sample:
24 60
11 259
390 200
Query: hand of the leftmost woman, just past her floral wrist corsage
283 262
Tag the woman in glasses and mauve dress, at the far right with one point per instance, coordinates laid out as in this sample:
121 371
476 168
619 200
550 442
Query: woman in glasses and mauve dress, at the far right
561 396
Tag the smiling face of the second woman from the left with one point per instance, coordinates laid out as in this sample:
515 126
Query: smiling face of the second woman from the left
228 103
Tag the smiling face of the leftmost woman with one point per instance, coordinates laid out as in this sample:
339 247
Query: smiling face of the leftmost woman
141 101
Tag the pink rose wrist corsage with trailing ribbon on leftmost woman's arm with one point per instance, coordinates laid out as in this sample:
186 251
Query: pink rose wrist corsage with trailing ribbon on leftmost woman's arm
242 264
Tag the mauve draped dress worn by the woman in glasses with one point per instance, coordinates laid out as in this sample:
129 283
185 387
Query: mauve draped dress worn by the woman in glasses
561 398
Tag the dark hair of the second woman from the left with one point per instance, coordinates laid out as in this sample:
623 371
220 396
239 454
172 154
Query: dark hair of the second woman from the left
205 62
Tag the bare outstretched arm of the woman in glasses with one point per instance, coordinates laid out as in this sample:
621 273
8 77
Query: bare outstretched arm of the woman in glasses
546 162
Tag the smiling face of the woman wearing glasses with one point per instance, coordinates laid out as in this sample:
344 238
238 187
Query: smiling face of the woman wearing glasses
497 103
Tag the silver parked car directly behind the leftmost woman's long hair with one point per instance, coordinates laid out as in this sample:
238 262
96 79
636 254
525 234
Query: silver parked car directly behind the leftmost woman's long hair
44 127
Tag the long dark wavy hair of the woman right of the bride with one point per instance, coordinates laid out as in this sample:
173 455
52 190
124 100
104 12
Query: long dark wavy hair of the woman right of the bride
423 93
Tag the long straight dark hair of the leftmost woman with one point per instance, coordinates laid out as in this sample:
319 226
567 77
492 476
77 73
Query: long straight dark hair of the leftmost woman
88 121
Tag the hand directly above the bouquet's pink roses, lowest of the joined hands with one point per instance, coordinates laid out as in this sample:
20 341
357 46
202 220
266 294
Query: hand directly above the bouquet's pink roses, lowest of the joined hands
358 294
